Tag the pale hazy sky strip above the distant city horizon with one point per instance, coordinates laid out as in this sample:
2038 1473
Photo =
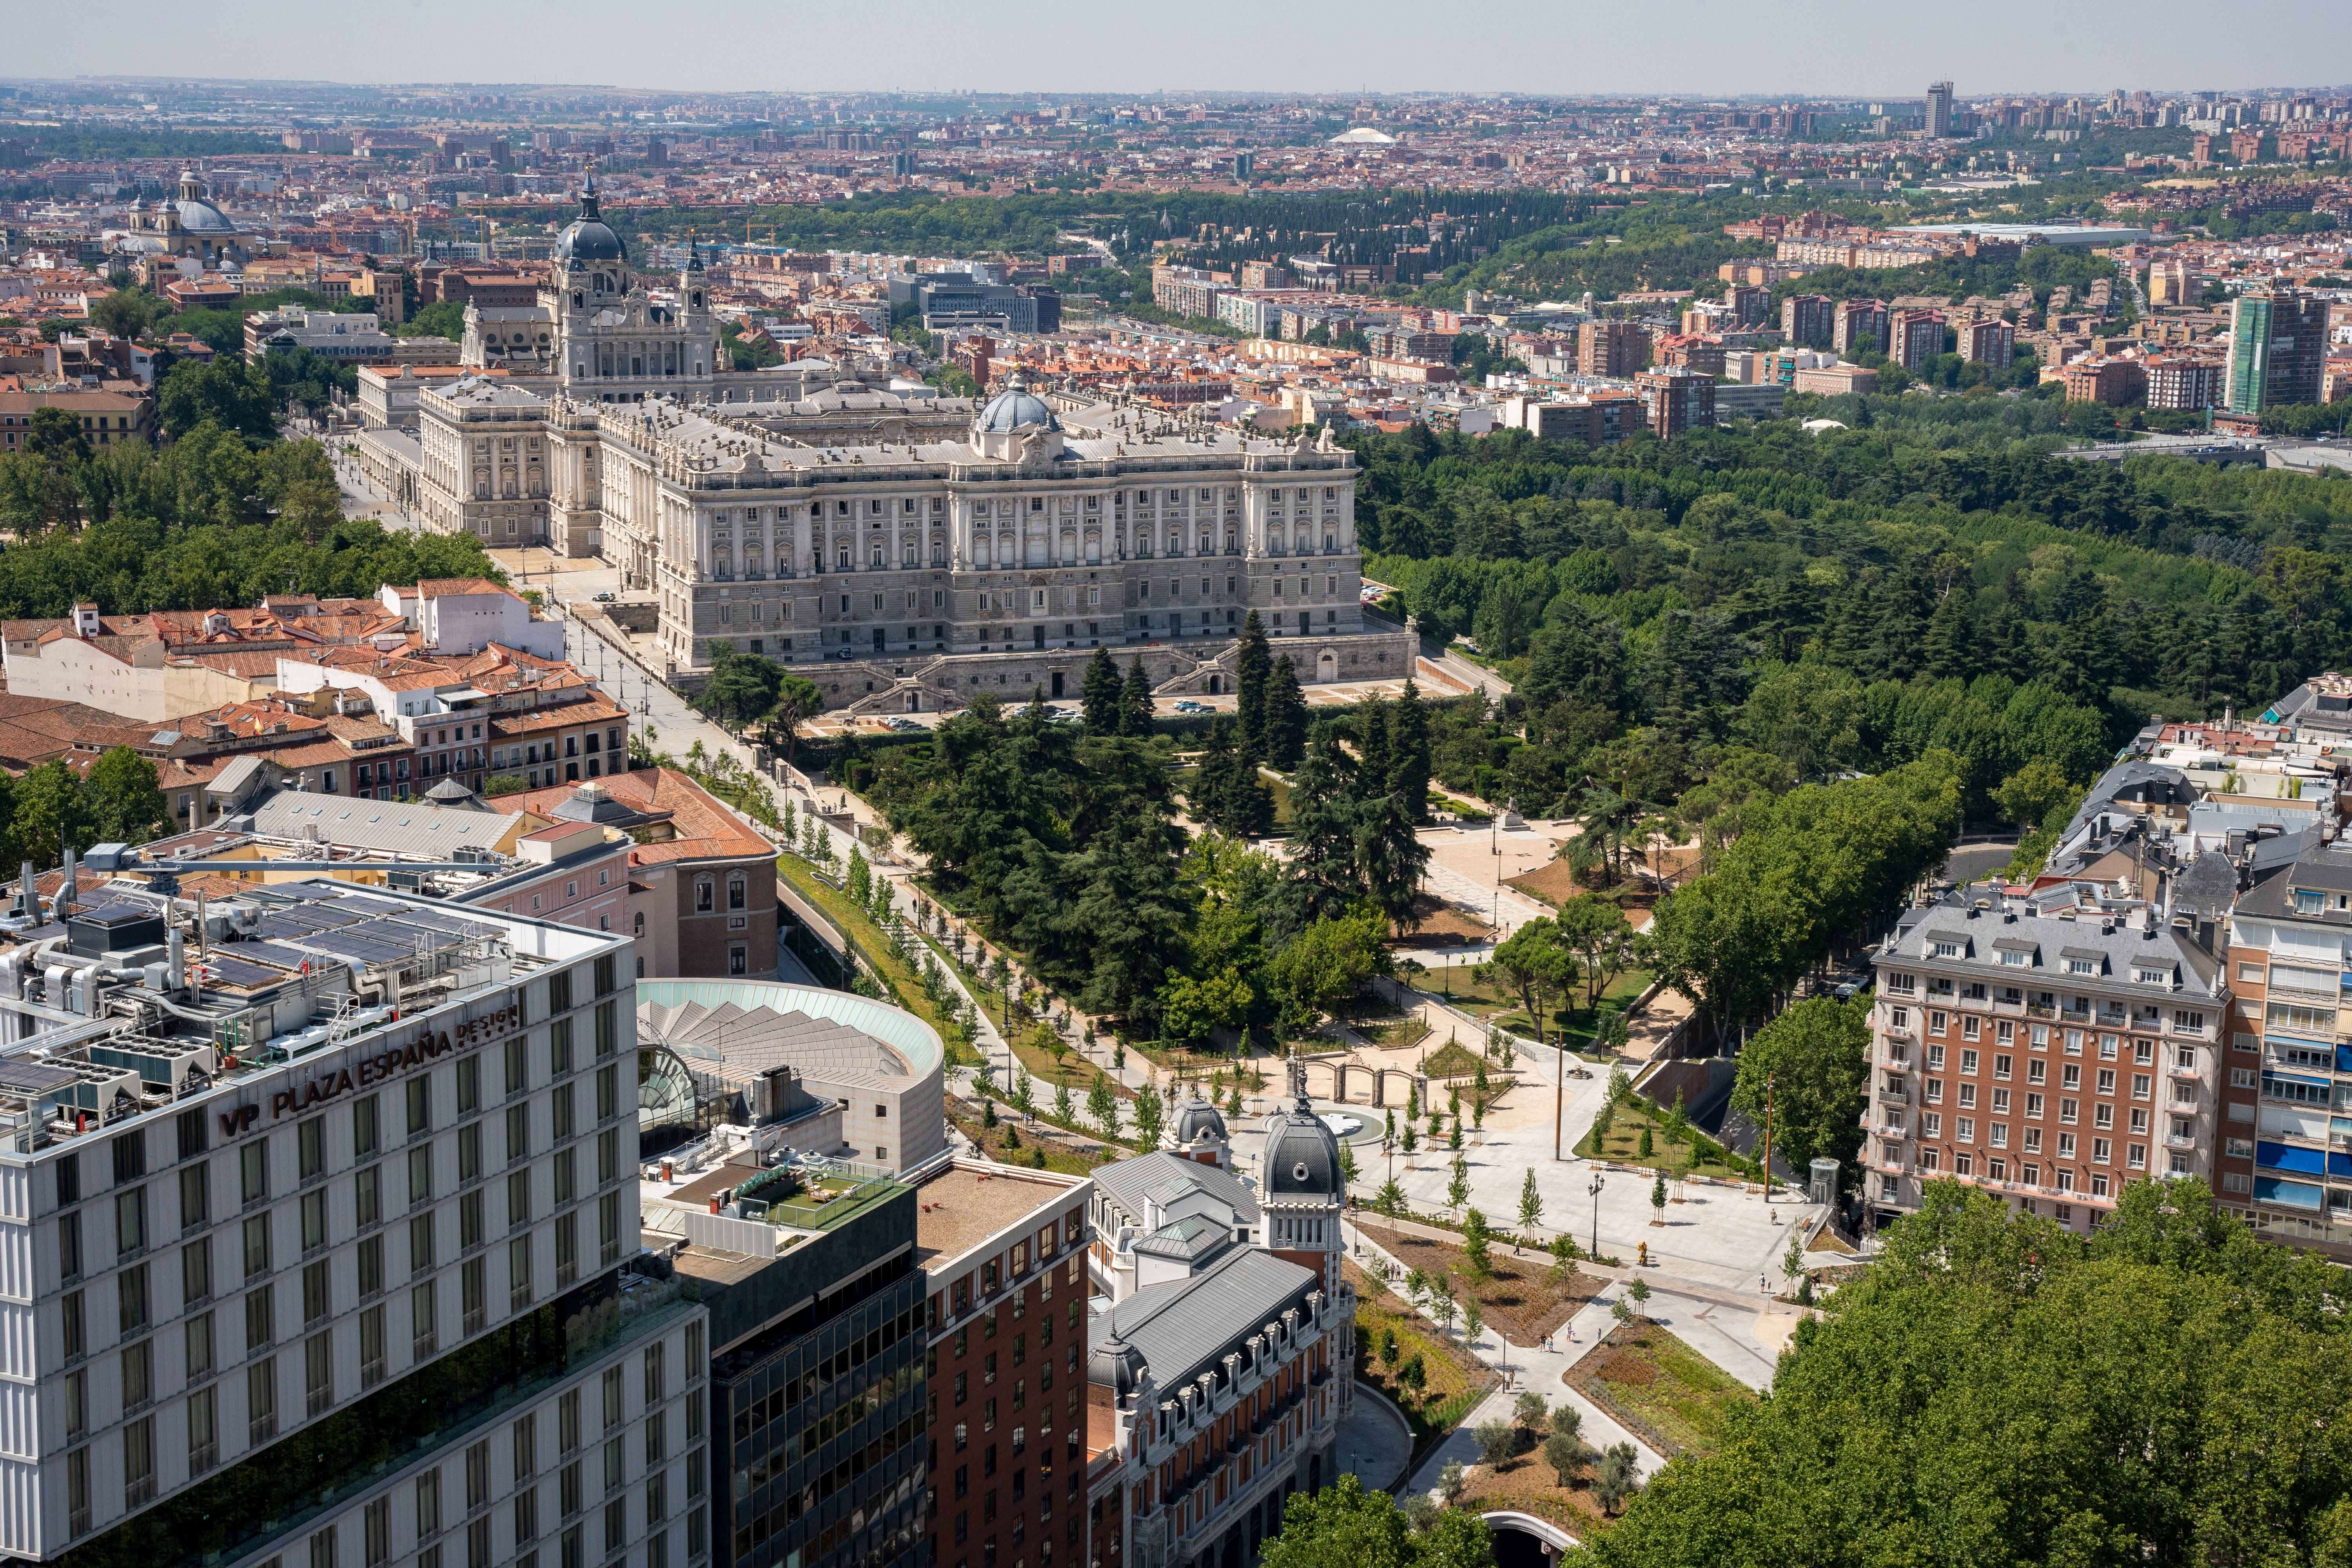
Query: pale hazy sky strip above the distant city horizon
1111 46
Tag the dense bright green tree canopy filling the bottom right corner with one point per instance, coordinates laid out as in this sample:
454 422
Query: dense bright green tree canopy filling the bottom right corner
1998 1391
